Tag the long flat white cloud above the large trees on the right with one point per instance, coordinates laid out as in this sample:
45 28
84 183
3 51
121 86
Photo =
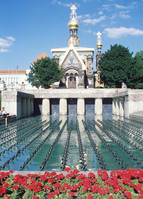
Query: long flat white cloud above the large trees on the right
122 31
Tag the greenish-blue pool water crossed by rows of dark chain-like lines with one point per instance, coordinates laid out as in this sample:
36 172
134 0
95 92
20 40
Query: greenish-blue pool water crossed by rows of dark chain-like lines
84 142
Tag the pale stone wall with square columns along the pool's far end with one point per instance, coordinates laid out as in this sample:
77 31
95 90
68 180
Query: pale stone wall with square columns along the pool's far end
124 102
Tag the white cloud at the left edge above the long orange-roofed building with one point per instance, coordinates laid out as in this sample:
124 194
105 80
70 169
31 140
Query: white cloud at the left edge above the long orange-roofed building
6 43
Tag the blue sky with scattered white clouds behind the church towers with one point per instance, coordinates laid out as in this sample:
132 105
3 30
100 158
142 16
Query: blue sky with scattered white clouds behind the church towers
30 27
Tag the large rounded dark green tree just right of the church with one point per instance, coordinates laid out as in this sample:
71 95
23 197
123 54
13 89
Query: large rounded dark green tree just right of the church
115 65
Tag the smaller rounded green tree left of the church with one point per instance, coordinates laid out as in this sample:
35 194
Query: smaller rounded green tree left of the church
45 72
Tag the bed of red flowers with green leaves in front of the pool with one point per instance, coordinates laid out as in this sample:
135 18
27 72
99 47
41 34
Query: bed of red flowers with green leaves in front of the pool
119 184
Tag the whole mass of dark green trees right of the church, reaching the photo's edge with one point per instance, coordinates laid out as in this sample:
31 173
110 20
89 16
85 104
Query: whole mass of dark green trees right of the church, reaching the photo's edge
117 66
